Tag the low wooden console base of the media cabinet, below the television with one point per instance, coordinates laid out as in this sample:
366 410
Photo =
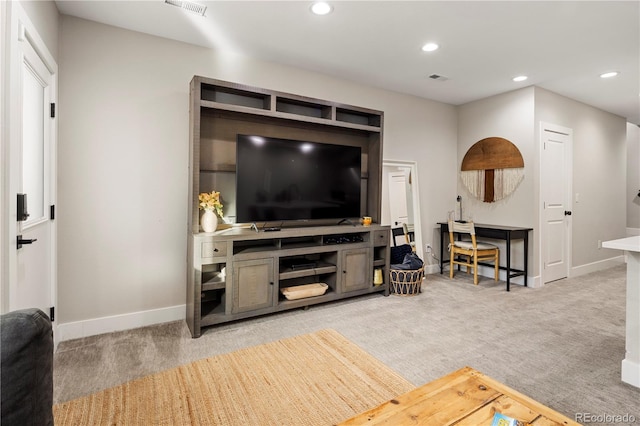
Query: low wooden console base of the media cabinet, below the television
238 272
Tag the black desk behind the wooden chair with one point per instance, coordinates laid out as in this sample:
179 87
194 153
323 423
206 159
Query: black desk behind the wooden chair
497 232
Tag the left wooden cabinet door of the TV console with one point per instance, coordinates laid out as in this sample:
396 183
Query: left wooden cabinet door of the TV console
252 285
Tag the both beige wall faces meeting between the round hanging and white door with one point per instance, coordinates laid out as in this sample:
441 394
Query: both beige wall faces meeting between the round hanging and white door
599 170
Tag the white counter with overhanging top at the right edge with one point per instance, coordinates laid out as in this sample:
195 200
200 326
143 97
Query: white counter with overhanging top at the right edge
631 363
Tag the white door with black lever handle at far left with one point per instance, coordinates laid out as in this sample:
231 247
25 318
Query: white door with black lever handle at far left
32 130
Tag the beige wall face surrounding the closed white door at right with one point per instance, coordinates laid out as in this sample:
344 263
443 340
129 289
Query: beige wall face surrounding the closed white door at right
599 175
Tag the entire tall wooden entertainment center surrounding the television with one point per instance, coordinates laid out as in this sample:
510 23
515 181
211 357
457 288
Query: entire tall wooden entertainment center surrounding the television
236 272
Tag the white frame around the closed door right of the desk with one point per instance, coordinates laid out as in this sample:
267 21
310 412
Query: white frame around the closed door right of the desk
545 126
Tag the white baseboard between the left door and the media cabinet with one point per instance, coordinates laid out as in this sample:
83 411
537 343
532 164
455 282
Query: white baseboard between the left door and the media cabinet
94 326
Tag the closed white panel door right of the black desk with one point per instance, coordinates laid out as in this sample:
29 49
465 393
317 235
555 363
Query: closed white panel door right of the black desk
555 191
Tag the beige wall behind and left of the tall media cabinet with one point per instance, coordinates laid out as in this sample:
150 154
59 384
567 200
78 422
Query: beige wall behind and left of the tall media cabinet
123 150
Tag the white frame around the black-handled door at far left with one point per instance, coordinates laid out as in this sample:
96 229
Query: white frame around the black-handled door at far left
17 28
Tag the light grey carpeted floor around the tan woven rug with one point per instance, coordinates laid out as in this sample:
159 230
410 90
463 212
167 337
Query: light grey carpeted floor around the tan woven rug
561 344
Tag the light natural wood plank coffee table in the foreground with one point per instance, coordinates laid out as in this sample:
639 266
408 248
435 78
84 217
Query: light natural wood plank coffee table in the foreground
464 397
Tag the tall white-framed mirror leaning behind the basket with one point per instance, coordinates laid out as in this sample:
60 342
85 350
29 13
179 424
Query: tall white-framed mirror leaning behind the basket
400 199
